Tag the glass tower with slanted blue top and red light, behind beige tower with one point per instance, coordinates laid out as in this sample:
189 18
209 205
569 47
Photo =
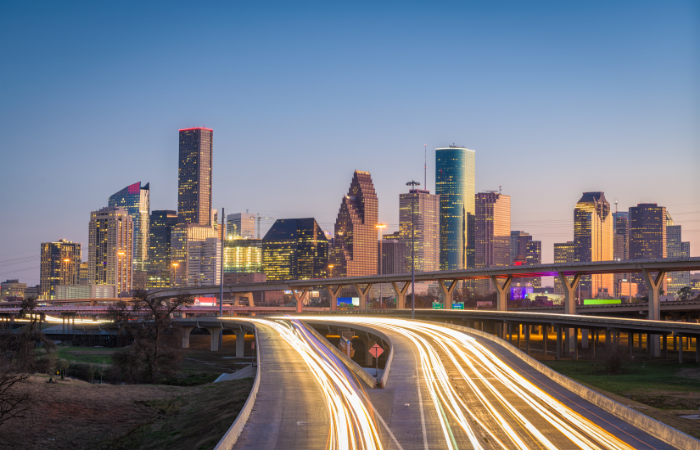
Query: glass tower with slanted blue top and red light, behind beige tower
136 200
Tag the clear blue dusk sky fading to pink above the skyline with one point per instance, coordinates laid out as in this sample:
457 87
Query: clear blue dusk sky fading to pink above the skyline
556 98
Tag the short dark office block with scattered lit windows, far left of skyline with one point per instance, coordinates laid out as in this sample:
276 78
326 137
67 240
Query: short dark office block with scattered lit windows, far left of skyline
60 264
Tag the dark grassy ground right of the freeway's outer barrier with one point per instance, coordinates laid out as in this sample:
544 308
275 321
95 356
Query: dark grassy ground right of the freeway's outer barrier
662 390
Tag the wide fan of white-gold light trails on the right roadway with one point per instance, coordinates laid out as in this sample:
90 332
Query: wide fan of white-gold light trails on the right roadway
489 404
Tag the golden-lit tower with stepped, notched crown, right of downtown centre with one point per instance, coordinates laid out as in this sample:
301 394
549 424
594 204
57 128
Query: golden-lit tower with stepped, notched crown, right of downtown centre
593 236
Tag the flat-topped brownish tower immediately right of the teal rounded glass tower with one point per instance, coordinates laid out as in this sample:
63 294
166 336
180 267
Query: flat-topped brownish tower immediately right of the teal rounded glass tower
492 233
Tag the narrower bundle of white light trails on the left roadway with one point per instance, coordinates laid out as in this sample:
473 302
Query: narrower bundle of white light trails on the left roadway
352 424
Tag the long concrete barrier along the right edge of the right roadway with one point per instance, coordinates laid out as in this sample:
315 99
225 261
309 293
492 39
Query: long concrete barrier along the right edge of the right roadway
655 428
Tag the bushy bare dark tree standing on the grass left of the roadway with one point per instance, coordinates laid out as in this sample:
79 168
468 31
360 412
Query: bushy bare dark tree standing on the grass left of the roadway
155 348
